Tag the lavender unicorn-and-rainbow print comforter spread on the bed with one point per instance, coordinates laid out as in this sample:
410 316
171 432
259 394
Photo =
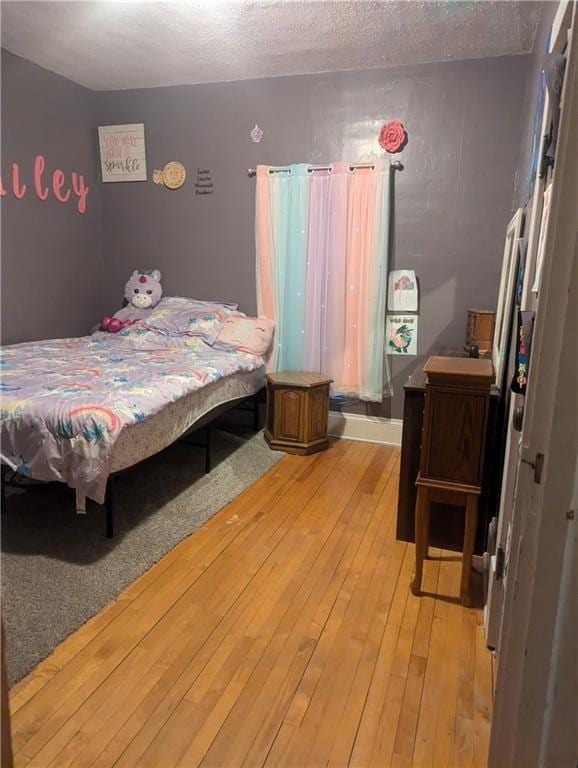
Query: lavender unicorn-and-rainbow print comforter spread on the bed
64 402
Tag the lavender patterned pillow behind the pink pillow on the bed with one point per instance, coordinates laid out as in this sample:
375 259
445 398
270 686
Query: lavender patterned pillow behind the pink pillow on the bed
188 320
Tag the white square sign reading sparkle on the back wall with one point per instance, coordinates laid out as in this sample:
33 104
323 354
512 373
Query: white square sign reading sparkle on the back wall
122 152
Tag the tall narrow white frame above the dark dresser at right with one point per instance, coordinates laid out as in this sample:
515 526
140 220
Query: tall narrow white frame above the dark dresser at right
505 305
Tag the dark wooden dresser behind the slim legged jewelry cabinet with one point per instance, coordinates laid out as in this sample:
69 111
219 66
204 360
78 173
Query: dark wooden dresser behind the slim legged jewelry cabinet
447 523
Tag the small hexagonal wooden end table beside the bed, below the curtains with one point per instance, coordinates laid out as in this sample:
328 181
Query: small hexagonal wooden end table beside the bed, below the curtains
297 411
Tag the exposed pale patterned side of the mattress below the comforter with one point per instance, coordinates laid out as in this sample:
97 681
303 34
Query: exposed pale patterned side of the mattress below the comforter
144 439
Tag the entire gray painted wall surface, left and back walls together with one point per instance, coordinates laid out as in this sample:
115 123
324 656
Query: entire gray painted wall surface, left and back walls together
61 271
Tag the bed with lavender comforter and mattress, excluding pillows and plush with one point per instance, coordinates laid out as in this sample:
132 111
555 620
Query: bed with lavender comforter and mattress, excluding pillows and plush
80 410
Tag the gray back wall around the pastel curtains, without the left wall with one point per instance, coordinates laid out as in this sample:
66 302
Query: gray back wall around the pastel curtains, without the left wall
452 201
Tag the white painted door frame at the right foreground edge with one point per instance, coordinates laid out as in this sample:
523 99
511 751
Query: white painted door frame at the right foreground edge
533 694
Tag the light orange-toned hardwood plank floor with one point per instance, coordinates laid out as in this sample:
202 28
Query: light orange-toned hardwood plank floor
282 632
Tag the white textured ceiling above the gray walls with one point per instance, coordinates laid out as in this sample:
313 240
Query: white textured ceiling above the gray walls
115 45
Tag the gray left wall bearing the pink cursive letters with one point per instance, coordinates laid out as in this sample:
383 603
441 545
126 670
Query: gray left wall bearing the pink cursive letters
51 255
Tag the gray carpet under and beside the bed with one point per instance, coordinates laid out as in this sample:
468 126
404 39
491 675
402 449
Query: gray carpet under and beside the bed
58 569
